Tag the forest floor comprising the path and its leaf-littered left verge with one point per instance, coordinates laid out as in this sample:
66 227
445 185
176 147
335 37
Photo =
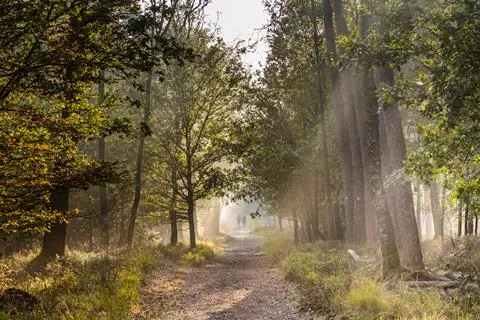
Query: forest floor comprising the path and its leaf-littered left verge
239 284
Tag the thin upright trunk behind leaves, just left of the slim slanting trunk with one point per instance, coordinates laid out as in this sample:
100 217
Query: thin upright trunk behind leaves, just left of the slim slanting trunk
102 190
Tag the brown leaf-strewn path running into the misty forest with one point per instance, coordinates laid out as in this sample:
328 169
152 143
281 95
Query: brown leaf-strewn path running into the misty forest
241 285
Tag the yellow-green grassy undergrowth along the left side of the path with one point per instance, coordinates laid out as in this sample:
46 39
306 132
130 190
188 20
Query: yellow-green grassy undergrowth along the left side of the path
90 286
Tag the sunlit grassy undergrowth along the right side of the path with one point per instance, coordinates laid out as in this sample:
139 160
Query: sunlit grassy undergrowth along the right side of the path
336 287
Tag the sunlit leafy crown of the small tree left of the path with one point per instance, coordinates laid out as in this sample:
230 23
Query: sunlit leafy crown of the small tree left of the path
195 128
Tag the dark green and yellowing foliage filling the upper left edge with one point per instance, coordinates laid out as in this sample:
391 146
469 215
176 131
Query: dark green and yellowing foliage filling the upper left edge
51 55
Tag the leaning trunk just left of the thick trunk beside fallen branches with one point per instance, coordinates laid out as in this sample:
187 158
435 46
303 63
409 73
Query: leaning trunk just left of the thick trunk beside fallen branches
389 250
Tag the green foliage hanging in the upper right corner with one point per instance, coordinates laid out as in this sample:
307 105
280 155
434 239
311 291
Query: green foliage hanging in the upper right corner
433 45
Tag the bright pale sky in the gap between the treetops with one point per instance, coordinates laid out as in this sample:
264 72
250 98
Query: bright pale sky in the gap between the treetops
241 20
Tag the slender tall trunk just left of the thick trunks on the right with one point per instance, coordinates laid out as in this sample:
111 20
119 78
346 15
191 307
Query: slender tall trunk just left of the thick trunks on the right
325 164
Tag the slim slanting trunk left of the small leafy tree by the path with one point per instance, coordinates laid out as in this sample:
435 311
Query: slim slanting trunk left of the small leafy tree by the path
139 163
